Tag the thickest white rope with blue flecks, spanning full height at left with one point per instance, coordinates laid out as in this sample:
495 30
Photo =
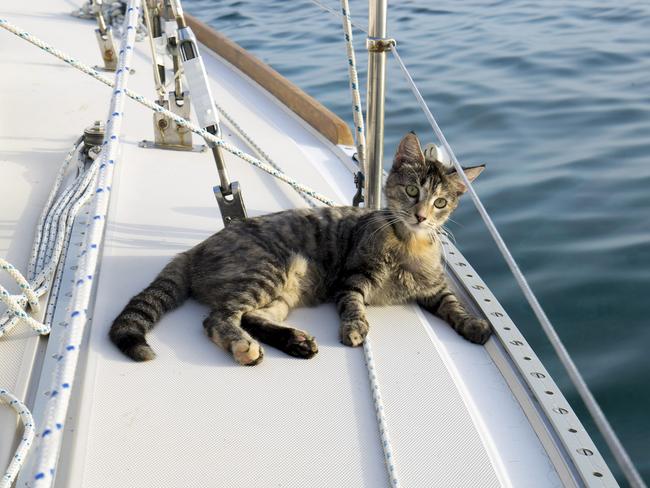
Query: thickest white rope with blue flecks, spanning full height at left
51 432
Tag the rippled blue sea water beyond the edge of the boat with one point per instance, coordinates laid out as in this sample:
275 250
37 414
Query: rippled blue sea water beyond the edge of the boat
554 97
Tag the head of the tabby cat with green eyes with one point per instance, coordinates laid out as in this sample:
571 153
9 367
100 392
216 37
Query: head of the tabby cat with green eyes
421 192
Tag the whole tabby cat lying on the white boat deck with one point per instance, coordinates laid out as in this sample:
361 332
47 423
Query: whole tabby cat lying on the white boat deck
253 272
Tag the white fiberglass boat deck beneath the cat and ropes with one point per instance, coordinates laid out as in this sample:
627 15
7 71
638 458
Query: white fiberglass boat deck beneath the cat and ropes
193 417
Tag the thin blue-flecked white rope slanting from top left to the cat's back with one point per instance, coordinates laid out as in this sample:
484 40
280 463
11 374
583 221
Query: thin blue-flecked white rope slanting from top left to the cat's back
167 113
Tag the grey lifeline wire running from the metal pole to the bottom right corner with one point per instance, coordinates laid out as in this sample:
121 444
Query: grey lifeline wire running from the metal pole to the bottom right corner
597 414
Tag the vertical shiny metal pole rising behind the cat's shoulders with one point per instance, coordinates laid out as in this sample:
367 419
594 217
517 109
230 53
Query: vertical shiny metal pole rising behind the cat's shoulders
375 101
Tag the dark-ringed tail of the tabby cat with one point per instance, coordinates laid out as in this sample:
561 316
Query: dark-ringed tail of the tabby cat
170 288
